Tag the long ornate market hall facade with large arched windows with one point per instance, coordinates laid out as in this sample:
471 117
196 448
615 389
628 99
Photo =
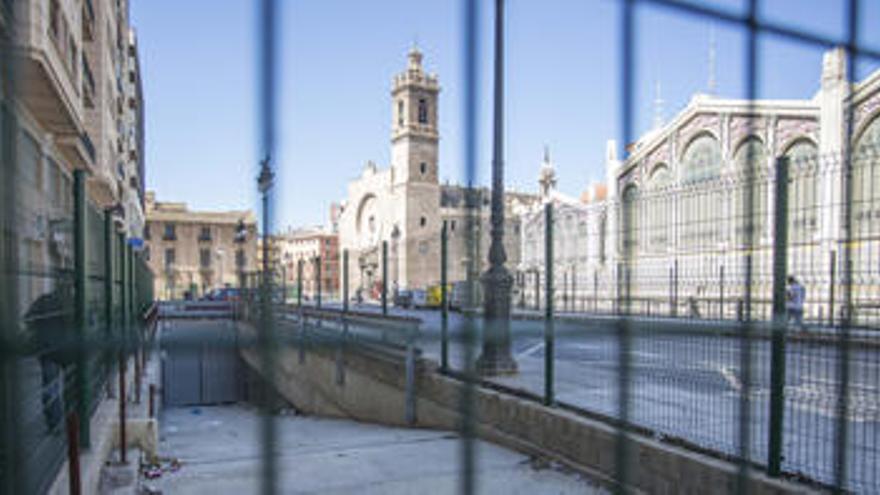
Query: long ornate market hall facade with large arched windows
693 202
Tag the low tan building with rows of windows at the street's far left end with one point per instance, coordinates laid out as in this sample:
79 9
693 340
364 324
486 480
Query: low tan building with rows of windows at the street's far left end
196 251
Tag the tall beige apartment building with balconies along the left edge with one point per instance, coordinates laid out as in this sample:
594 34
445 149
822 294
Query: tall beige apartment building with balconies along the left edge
59 114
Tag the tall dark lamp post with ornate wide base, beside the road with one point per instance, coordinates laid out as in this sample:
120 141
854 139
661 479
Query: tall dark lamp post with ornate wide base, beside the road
497 281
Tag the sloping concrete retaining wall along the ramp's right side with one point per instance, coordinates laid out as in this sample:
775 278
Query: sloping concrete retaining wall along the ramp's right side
369 386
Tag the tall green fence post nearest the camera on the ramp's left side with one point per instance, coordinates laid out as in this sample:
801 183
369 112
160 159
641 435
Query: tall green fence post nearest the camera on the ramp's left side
80 203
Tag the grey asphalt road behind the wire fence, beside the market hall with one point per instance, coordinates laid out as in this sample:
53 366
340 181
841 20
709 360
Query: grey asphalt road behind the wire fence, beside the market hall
688 382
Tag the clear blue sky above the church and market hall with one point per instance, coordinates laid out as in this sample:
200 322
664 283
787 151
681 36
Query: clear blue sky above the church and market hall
337 58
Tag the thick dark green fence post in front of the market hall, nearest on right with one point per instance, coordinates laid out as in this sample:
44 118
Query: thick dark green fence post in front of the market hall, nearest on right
777 358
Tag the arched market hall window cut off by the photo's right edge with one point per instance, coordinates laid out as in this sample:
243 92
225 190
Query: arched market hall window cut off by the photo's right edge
866 179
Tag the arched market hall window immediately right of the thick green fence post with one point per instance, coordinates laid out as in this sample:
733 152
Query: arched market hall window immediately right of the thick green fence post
803 191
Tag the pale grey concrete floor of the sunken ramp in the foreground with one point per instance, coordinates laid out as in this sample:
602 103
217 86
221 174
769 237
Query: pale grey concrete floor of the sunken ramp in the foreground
219 449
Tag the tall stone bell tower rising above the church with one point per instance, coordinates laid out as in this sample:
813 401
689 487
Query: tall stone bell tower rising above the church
414 134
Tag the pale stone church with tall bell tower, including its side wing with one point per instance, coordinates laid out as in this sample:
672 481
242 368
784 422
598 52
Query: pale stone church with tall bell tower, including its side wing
405 206
